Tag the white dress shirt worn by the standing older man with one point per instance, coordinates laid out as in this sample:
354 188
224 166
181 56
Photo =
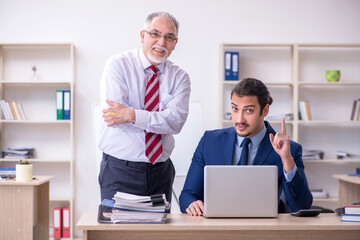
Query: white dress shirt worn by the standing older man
124 81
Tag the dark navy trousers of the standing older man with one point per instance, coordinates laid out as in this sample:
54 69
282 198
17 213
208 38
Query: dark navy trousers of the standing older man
138 178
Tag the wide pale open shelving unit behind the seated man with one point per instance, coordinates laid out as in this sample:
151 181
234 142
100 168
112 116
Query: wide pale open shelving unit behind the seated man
296 72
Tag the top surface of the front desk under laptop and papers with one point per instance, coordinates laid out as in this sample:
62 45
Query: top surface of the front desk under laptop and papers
183 222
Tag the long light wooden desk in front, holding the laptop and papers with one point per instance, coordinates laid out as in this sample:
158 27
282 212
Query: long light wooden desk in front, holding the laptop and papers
180 226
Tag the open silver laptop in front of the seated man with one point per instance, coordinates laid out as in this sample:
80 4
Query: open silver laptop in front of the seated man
240 191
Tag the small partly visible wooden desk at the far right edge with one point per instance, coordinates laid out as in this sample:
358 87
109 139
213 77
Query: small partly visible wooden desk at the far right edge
348 189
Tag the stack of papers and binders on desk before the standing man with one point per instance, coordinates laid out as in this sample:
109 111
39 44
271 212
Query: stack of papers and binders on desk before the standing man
130 208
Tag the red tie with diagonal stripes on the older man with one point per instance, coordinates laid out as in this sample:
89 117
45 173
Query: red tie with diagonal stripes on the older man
152 140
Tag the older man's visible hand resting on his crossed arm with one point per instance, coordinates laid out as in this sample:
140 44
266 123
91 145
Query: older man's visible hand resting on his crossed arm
117 114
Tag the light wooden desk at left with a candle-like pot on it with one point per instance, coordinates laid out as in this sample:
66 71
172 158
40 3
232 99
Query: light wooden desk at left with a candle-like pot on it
24 209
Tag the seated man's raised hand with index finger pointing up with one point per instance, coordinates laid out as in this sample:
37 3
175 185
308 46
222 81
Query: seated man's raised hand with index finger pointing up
281 145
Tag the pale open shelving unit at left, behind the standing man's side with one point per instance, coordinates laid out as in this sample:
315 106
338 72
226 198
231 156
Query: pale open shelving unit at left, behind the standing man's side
53 139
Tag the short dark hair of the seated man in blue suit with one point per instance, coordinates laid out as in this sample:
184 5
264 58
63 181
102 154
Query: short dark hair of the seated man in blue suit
253 87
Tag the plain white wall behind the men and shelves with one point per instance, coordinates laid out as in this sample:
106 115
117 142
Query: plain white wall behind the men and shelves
101 28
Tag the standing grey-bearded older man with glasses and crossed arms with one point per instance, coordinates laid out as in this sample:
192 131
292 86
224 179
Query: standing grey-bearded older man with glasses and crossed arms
146 100
